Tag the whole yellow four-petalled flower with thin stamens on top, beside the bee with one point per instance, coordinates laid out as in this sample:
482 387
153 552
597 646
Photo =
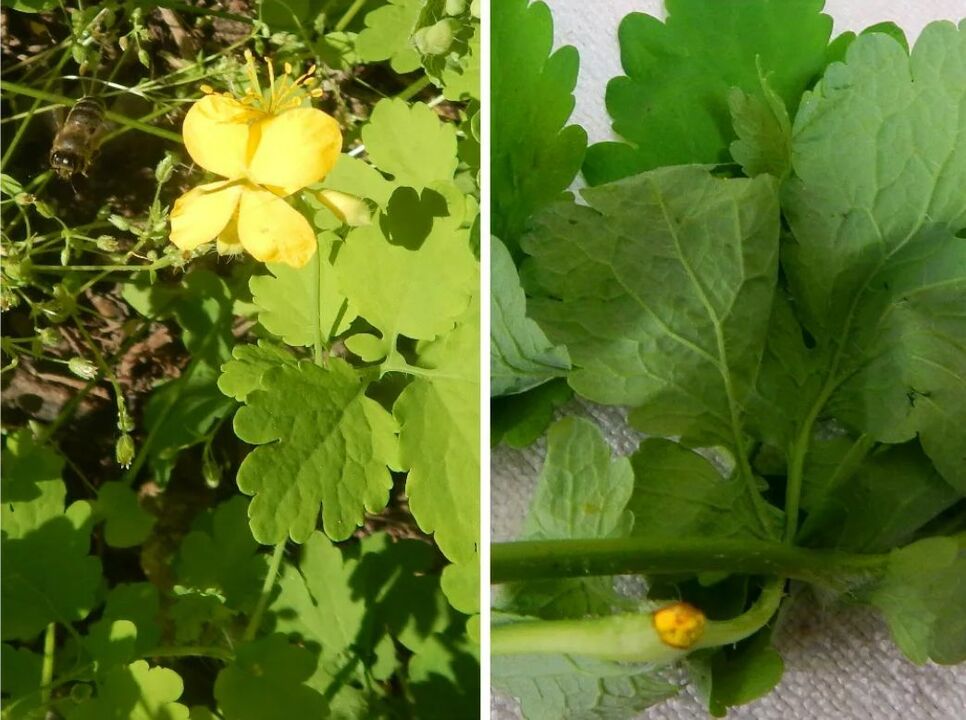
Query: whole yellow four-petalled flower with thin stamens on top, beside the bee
267 147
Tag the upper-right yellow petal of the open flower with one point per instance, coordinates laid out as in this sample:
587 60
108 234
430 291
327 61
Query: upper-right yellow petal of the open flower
294 149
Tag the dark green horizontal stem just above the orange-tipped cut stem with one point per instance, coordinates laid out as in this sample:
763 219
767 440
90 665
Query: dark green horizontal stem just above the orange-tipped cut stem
535 560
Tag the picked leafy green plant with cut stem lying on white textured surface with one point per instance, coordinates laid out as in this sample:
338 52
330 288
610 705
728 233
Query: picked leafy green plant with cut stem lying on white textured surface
771 274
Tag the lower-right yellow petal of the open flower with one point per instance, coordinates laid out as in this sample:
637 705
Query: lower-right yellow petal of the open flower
272 231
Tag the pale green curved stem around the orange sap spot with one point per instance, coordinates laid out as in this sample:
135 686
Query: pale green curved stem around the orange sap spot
627 637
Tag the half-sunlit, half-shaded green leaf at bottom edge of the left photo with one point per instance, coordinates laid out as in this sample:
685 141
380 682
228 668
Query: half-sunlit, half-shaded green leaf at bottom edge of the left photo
135 692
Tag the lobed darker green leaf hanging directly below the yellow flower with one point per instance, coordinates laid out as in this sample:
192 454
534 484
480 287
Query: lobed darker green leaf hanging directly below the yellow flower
323 442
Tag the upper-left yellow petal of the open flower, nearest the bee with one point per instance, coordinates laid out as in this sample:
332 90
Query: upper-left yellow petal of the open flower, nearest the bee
216 133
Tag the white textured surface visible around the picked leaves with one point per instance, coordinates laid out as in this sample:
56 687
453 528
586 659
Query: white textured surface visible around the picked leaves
840 664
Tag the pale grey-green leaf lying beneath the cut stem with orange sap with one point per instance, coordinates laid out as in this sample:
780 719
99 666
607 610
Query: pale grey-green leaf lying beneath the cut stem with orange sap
550 687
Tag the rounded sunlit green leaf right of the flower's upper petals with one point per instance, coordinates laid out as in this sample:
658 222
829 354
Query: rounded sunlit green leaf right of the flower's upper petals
410 143
